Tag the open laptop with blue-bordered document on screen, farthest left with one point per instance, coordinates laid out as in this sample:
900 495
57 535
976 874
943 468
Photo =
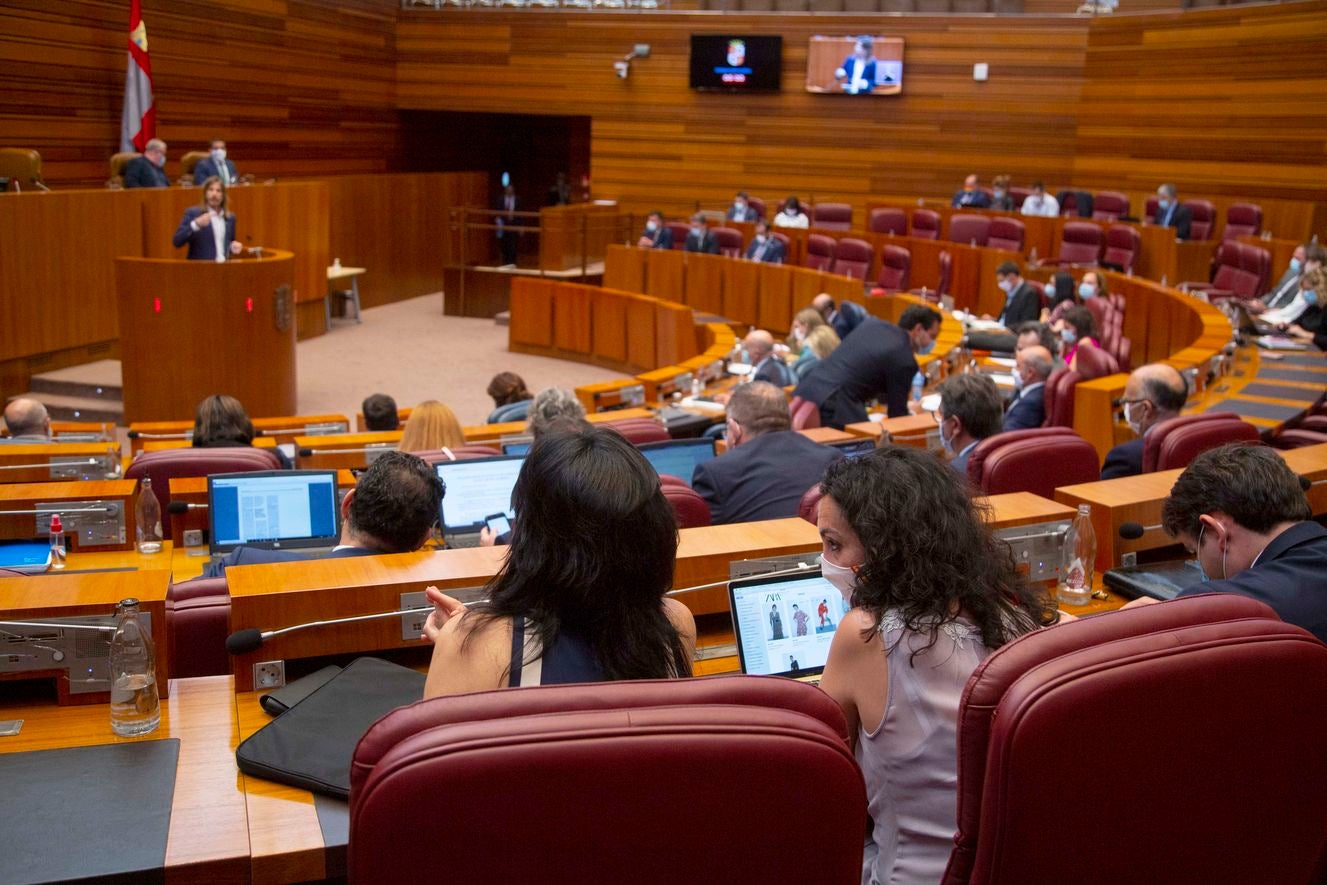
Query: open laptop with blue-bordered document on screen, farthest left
277 510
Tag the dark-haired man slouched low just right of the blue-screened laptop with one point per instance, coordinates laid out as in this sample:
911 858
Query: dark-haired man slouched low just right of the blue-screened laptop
392 510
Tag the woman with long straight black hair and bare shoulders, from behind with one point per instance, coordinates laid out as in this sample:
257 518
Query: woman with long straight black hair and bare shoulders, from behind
581 596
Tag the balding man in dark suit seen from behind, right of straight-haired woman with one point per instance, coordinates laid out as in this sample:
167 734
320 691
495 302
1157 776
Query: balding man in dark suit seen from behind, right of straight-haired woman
768 466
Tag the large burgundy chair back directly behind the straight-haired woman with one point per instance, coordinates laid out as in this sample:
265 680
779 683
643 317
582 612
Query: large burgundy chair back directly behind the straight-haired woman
615 761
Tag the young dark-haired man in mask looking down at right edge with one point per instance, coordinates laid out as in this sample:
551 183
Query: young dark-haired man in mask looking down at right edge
1243 511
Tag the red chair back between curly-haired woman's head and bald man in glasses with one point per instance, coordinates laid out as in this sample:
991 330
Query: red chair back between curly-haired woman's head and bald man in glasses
1037 461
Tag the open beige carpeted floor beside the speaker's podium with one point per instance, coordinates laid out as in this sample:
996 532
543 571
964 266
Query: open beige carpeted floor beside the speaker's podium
413 352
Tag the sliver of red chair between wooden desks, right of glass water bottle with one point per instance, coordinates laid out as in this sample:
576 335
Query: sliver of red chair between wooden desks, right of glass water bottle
198 620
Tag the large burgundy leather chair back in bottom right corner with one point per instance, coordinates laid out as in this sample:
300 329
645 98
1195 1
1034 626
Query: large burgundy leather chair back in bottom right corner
1170 672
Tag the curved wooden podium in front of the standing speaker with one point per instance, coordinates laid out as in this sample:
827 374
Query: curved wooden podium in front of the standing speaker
190 330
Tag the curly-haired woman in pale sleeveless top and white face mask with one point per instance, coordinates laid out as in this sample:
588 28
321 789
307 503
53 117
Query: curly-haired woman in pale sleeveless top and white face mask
934 594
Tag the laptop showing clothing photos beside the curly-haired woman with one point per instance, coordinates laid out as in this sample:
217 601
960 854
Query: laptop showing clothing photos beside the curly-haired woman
784 626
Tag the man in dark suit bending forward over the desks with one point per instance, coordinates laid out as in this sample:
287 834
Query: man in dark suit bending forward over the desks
876 362
